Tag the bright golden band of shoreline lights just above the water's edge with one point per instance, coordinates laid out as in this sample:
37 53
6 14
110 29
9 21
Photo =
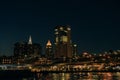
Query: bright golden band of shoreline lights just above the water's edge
69 67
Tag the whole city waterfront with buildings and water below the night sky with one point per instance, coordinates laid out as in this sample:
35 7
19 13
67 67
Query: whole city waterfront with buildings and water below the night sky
61 61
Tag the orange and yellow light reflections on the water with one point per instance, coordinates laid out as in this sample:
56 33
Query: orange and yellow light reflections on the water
79 76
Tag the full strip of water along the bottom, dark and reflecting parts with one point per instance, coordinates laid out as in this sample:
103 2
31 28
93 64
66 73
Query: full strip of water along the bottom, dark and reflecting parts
60 76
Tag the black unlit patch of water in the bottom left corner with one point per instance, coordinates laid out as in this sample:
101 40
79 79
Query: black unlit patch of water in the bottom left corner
17 75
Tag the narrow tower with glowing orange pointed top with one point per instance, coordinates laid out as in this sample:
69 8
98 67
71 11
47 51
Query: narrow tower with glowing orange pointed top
49 51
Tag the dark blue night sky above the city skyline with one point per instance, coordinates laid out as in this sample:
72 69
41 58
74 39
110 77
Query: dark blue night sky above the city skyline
95 24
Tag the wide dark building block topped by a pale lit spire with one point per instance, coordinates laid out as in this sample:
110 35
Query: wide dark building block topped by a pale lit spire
27 49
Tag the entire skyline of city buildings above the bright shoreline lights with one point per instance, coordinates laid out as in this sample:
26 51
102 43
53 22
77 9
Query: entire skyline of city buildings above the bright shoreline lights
63 50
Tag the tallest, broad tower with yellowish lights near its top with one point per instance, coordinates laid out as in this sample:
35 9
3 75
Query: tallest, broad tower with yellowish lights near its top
63 43
